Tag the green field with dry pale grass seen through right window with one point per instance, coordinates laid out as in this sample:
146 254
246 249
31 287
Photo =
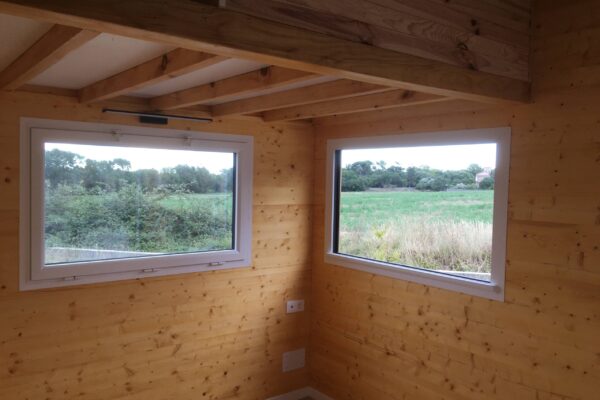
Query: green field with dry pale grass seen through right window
435 230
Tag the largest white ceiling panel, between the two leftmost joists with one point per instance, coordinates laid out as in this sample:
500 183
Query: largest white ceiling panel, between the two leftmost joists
104 56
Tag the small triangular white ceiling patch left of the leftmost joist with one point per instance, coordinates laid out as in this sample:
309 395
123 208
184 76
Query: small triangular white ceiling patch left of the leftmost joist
17 35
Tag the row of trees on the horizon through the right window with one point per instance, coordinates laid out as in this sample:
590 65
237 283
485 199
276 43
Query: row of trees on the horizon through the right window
363 175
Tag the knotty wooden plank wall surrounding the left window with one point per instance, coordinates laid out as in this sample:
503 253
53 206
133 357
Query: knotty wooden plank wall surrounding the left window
196 336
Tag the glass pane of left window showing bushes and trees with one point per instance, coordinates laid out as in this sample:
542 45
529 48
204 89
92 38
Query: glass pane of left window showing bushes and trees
110 202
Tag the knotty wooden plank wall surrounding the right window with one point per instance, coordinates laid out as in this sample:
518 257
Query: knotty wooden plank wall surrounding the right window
378 338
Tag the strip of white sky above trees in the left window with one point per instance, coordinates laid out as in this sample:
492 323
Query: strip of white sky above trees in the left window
141 158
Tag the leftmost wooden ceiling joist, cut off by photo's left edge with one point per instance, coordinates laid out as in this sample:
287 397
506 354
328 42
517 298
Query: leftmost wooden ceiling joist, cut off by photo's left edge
47 51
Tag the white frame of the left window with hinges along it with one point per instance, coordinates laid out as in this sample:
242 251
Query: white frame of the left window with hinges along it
35 132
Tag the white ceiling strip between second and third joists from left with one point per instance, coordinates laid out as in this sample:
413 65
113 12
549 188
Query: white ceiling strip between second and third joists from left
216 72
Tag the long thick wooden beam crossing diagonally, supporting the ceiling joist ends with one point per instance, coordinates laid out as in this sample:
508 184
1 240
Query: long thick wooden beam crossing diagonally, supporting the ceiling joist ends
202 27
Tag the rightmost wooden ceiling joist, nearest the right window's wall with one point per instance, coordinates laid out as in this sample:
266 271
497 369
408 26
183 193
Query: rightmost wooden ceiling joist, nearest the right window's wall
378 101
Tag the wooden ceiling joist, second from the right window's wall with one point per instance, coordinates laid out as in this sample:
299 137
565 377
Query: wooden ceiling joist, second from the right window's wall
338 89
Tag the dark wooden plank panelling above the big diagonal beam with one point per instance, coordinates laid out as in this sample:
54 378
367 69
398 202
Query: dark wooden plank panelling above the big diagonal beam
489 36
